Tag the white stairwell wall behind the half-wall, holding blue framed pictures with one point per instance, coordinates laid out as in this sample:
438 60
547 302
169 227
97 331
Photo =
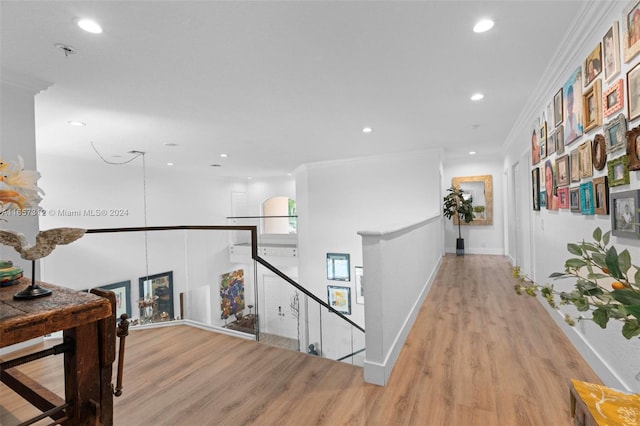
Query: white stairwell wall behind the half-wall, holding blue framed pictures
337 199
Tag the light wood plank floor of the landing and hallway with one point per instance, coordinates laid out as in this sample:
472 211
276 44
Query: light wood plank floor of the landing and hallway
478 355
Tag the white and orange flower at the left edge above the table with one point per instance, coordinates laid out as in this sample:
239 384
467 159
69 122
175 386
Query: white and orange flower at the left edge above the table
18 187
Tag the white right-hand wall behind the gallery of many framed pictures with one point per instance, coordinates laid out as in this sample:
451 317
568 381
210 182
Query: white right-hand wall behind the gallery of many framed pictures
613 357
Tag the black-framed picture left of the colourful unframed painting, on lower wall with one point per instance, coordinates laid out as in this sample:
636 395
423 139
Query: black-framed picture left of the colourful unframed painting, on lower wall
157 290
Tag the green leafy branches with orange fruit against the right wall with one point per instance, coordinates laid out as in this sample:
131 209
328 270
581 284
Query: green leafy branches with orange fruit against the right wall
603 284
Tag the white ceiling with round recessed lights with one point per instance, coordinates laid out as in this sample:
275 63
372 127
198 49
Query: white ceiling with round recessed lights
278 84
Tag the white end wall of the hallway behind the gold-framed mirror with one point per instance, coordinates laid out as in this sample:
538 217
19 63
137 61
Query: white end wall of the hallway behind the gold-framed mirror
485 239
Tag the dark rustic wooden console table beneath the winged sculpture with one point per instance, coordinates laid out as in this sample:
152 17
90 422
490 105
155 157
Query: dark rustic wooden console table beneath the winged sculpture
88 324
